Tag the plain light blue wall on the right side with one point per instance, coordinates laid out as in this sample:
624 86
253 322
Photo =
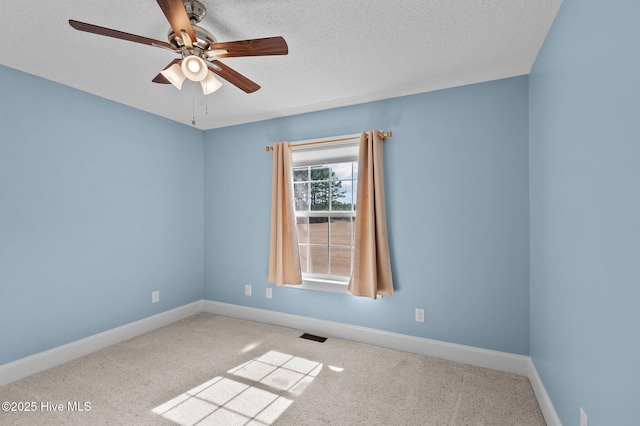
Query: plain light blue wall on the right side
585 212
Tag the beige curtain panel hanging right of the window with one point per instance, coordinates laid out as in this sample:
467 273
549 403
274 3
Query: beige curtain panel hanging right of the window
372 263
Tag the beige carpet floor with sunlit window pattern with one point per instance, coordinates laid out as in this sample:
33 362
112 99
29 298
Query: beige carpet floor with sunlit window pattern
214 370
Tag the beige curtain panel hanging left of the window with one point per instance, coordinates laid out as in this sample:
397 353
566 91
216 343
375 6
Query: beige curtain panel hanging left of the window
284 256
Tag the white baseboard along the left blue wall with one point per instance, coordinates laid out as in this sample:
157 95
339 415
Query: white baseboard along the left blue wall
36 363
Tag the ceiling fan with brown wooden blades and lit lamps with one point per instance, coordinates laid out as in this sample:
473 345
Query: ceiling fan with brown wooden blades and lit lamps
198 49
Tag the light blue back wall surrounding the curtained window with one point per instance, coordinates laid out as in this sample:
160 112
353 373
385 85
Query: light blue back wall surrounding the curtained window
457 204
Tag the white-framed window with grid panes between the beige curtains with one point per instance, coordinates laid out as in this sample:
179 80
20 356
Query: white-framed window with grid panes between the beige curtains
325 185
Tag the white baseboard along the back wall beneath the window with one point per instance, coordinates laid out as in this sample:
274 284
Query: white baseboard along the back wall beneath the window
503 361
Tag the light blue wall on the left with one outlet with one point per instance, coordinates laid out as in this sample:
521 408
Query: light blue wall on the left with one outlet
100 204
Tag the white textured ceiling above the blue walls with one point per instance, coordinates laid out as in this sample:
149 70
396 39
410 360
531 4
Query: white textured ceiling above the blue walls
340 52
